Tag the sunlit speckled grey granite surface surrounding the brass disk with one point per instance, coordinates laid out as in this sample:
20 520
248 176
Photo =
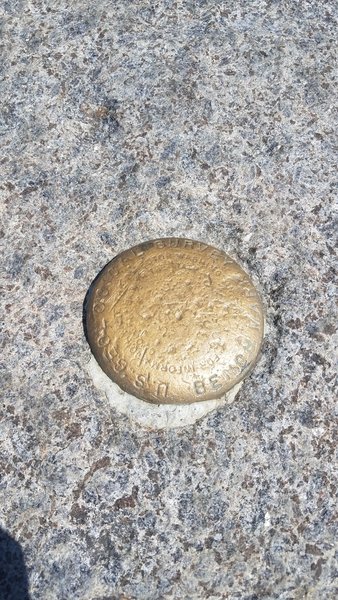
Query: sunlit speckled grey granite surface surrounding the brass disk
124 121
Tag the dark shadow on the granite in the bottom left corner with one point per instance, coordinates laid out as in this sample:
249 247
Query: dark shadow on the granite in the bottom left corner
13 573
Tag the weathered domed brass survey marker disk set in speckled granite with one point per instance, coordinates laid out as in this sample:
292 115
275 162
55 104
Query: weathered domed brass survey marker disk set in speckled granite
174 321
